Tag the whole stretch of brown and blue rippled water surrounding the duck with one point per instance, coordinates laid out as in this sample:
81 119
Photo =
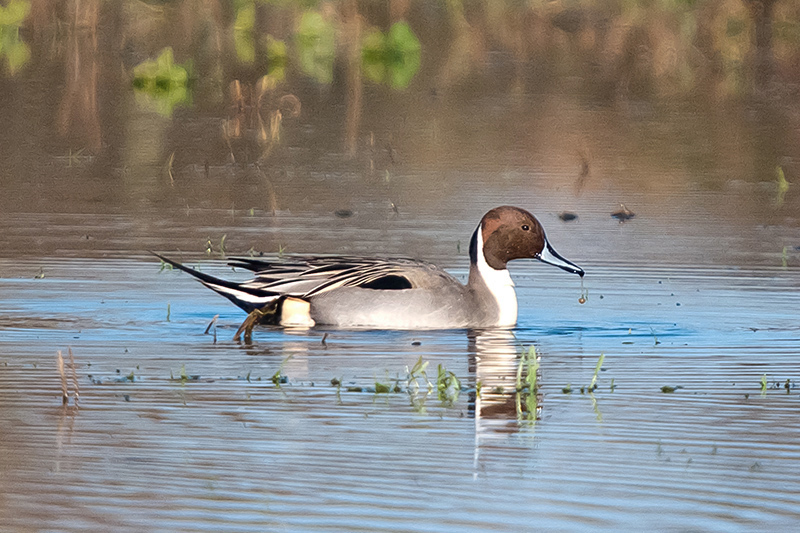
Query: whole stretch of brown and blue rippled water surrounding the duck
179 429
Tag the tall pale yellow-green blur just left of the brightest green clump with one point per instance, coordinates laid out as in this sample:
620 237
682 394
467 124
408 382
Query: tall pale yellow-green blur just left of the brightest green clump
316 46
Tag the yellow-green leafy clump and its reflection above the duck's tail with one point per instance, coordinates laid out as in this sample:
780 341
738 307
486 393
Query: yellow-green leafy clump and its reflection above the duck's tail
161 83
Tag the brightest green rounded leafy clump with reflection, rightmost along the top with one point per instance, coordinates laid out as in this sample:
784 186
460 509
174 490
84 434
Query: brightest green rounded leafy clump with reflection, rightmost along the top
391 58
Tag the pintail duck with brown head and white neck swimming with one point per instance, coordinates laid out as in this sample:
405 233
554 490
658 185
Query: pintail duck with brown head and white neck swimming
395 293
